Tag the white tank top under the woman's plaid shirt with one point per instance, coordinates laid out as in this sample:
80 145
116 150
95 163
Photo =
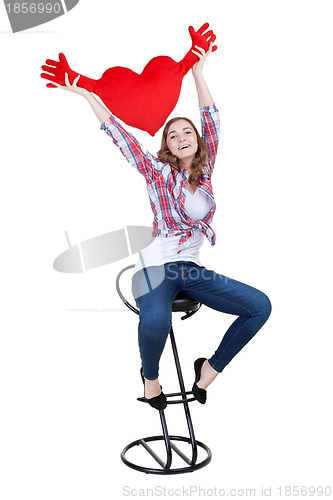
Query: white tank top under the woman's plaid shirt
164 249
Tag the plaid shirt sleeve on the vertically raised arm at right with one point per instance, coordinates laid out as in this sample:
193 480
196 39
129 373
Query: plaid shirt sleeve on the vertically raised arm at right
210 126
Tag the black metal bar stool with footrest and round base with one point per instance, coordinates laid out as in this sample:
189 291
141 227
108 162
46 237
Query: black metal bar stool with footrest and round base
189 306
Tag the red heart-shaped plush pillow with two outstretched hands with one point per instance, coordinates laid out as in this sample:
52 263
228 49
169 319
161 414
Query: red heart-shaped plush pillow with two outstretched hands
141 100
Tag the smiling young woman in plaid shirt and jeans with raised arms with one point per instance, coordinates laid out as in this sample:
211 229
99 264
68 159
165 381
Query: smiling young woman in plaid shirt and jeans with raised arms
182 200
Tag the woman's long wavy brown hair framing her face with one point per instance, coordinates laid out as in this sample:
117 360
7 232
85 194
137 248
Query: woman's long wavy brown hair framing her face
201 155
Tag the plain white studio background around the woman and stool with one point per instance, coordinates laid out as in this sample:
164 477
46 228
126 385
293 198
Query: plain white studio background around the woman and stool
70 376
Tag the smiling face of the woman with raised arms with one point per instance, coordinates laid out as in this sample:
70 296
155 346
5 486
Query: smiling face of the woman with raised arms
182 139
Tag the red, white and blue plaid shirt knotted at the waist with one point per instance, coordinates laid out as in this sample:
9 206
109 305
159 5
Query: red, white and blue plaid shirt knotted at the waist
166 185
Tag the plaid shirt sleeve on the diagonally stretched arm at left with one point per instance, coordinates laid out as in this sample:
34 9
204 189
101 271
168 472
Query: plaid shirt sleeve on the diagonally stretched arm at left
142 160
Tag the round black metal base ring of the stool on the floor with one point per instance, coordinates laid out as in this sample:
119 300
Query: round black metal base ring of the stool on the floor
165 469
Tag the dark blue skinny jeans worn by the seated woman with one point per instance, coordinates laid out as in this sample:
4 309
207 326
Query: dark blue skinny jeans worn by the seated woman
155 288
